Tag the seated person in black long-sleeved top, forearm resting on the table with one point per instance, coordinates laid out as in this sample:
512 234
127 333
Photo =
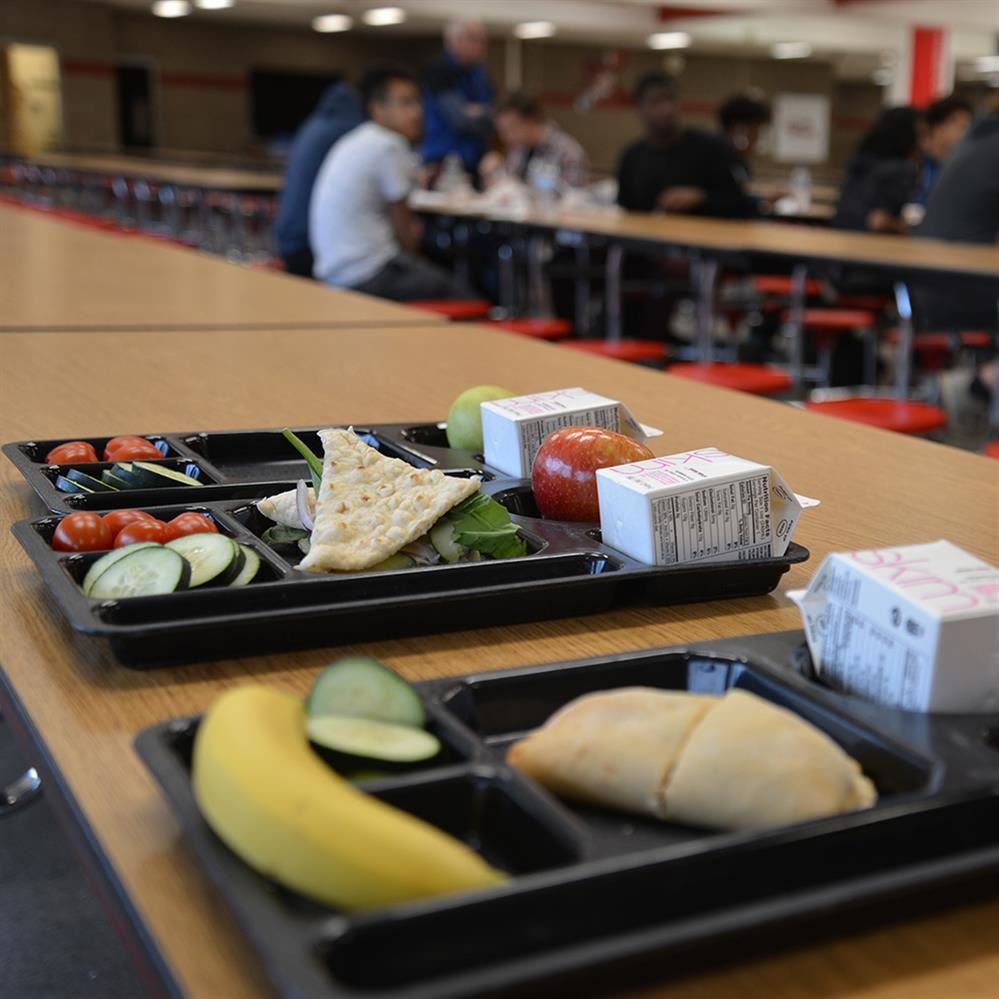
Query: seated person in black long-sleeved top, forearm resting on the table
679 169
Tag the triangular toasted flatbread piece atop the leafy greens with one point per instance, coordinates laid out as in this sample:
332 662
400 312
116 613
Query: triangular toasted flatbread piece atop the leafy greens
371 506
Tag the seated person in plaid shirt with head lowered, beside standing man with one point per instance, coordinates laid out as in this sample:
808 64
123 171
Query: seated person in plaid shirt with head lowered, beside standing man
531 140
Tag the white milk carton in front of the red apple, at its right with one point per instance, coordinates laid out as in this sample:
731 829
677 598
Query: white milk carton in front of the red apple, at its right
697 507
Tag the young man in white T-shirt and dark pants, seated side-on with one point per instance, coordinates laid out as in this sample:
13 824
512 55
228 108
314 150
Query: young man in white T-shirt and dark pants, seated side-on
362 232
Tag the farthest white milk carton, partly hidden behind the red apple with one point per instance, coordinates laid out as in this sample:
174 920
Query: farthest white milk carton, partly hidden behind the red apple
514 428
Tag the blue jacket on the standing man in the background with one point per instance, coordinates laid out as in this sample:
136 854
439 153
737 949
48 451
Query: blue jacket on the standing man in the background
447 88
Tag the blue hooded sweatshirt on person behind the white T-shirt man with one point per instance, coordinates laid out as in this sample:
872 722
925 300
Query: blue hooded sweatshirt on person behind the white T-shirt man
338 112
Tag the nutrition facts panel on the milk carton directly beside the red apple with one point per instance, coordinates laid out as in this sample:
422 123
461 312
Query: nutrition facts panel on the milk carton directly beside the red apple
731 520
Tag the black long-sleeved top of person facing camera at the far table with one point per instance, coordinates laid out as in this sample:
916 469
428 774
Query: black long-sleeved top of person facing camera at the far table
693 159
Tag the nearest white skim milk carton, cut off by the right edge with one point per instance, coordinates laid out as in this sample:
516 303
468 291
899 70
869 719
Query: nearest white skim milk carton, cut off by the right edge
914 627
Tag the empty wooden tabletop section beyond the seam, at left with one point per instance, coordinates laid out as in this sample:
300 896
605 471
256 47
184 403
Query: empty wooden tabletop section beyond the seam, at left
54 274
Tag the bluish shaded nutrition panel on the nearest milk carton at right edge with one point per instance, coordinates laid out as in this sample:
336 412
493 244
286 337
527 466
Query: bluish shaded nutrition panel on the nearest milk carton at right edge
862 658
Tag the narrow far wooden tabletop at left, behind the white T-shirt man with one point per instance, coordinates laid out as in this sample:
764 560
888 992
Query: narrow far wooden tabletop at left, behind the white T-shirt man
210 178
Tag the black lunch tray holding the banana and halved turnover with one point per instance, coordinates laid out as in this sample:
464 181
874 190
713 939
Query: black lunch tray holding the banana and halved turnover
597 896
